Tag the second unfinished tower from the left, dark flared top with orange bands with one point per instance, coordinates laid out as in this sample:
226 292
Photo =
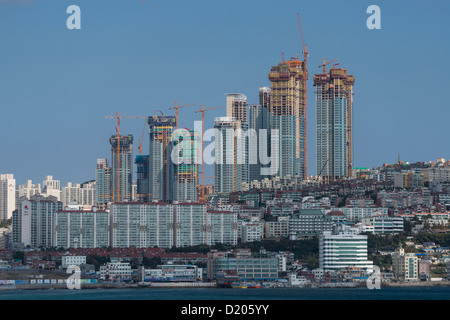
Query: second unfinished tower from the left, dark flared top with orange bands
160 169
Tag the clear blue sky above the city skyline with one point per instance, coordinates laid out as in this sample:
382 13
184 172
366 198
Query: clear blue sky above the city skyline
138 56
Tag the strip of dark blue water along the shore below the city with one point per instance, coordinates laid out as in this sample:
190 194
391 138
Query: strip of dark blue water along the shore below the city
412 293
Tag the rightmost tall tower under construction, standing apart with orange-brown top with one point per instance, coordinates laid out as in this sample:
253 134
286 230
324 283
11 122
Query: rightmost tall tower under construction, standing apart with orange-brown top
334 103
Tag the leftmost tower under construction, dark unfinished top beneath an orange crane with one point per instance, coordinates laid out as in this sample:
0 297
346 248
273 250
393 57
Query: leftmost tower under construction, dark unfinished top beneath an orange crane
122 167
